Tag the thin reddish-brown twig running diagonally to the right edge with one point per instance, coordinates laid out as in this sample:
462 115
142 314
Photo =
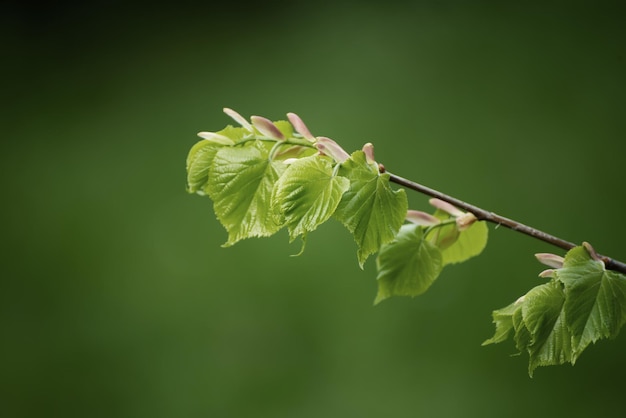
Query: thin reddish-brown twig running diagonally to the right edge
484 215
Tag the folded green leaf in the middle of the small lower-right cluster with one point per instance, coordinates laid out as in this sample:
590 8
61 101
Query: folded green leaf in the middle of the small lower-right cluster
544 318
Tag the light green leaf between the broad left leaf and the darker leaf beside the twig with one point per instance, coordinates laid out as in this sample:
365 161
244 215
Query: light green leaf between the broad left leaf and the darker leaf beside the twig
307 194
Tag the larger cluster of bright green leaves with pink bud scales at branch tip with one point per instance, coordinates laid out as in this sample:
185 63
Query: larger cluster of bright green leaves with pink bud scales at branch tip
264 176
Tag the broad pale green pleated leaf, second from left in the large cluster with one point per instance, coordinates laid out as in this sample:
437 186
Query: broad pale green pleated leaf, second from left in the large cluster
240 183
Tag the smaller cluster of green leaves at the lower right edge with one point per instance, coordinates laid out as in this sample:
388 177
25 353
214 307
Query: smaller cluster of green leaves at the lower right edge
554 322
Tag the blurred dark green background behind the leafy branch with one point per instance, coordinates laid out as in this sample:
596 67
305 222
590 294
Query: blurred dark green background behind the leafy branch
117 300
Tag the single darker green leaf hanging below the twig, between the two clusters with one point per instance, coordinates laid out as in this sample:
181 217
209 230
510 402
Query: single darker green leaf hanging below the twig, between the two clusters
408 265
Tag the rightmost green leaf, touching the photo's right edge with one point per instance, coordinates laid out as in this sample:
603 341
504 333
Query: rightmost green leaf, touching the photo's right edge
596 299
